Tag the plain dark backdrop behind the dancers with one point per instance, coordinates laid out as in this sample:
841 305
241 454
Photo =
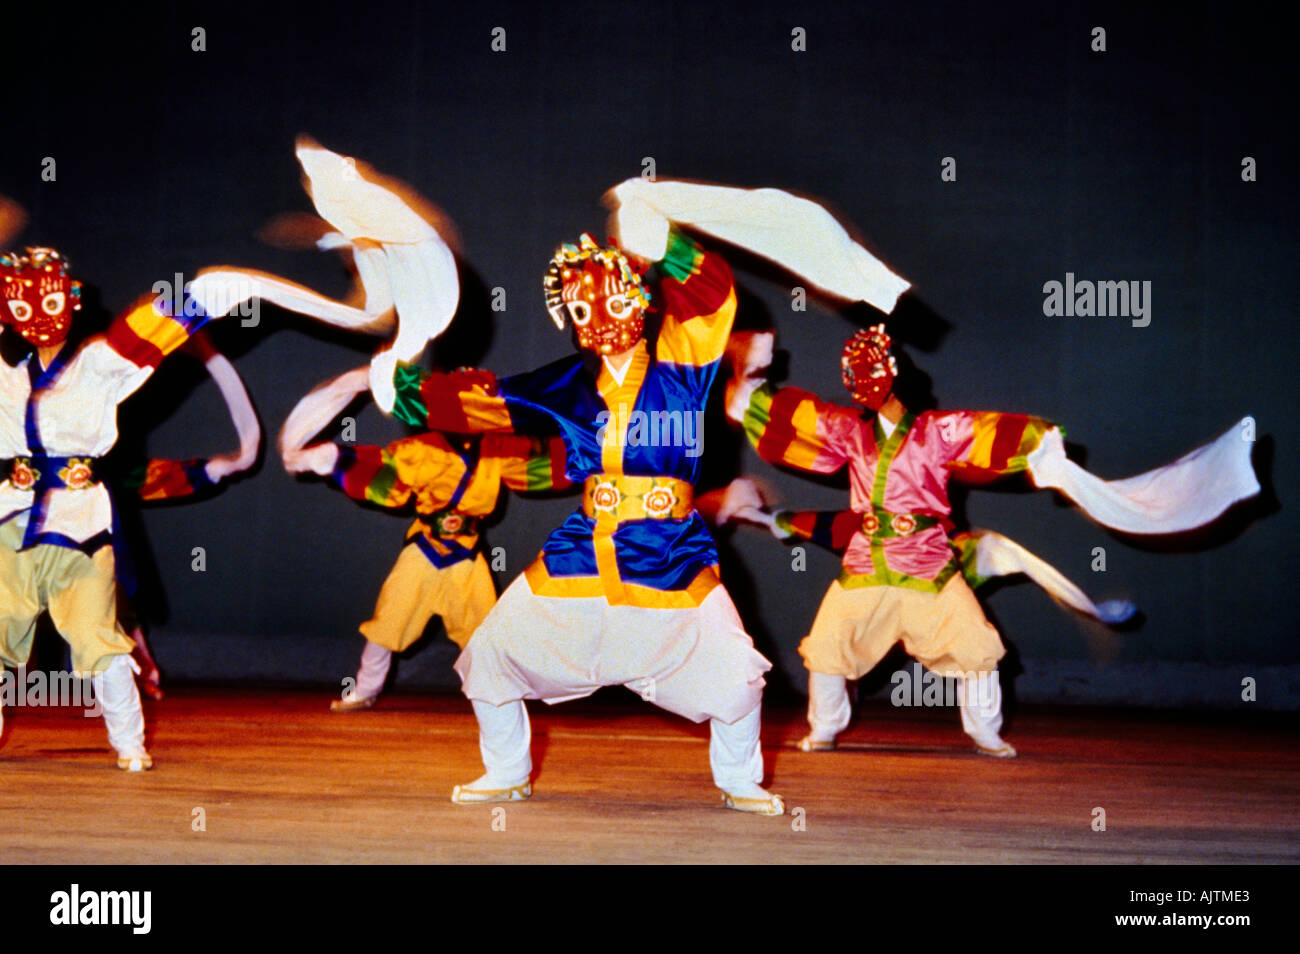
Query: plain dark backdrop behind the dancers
1124 164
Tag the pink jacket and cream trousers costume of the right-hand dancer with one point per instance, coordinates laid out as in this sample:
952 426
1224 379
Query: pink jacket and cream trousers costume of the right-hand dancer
902 579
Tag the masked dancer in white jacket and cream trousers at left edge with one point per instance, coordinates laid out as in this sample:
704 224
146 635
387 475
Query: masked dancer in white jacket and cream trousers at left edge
58 419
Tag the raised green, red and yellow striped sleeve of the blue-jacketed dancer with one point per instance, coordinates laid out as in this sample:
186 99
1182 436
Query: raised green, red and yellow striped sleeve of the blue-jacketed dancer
699 303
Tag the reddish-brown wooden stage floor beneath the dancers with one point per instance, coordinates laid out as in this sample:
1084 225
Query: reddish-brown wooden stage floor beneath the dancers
276 778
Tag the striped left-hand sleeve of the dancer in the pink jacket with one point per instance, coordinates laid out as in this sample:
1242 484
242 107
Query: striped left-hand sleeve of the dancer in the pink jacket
795 428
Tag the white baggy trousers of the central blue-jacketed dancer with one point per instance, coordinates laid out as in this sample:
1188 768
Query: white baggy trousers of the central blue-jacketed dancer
696 662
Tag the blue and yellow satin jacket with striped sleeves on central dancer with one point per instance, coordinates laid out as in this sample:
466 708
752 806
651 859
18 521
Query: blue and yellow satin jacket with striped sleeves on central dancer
635 444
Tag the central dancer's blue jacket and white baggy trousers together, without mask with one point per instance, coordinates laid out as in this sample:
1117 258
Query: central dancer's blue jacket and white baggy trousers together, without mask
626 591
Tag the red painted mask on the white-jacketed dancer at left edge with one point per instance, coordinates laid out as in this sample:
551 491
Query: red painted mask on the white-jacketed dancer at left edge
40 298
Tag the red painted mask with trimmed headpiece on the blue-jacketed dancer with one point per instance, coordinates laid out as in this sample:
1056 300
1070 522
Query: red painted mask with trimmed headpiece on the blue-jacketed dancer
601 293
